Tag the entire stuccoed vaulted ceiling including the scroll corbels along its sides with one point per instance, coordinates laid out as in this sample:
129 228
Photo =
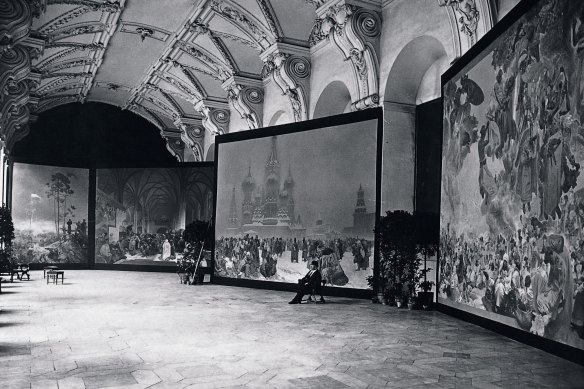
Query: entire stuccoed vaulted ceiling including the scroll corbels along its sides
187 65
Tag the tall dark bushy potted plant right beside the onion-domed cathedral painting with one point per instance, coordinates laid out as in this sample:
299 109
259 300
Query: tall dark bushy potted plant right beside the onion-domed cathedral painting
397 252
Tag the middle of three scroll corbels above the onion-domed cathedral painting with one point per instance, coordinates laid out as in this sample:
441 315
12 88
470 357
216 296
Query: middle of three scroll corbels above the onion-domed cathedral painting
290 68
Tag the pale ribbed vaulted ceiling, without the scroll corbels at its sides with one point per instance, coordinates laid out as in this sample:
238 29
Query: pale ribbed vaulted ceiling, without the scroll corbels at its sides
169 61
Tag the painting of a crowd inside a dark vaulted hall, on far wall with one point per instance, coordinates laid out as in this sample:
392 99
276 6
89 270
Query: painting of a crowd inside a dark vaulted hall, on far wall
141 214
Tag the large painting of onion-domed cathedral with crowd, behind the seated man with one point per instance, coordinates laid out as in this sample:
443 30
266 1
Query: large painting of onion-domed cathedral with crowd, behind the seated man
286 200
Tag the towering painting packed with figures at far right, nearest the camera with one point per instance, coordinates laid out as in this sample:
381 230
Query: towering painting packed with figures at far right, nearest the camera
512 200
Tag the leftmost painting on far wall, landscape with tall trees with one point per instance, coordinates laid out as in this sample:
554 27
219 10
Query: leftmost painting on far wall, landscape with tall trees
49 209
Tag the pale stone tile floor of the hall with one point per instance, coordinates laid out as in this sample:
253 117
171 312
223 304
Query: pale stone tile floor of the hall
105 329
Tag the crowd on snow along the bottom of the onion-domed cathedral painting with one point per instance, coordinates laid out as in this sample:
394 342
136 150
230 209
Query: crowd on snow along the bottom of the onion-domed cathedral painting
278 259
